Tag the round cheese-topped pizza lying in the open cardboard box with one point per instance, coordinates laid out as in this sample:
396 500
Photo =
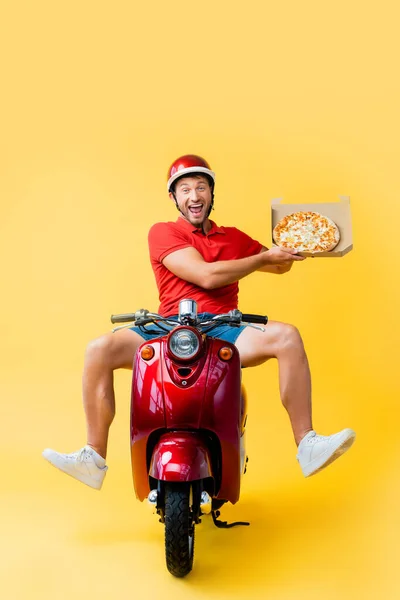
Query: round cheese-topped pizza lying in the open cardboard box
306 231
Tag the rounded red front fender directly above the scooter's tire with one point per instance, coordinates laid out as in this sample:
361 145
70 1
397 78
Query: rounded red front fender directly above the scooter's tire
180 456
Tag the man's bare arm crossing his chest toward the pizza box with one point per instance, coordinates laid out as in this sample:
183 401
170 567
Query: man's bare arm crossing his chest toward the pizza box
188 264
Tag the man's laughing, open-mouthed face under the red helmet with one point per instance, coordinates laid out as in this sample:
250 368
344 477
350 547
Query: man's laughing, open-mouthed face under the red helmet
194 196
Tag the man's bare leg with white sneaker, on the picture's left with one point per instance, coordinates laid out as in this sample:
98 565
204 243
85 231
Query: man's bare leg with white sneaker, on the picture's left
103 355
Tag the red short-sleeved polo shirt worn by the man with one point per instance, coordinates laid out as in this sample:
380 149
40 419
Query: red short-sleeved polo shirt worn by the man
220 243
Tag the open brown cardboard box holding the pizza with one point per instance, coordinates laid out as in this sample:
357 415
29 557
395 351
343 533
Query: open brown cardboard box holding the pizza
339 212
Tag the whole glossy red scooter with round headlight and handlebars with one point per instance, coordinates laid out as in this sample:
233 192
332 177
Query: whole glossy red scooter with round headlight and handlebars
188 416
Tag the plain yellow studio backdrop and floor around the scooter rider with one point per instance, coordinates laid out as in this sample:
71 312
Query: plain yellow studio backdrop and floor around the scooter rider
292 99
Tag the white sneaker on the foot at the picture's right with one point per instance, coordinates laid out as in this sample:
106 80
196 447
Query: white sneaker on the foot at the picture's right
315 452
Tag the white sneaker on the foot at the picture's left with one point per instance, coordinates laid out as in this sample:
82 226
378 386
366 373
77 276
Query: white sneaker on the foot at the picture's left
83 465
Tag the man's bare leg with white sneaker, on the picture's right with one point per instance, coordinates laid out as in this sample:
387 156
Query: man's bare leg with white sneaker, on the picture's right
284 342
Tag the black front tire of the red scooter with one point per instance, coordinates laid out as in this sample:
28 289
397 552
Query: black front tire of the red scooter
179 529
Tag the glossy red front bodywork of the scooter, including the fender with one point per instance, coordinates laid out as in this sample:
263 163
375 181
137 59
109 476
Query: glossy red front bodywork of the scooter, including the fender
203 396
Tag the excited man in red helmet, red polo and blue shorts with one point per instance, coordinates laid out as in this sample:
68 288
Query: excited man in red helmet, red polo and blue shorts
194 258
